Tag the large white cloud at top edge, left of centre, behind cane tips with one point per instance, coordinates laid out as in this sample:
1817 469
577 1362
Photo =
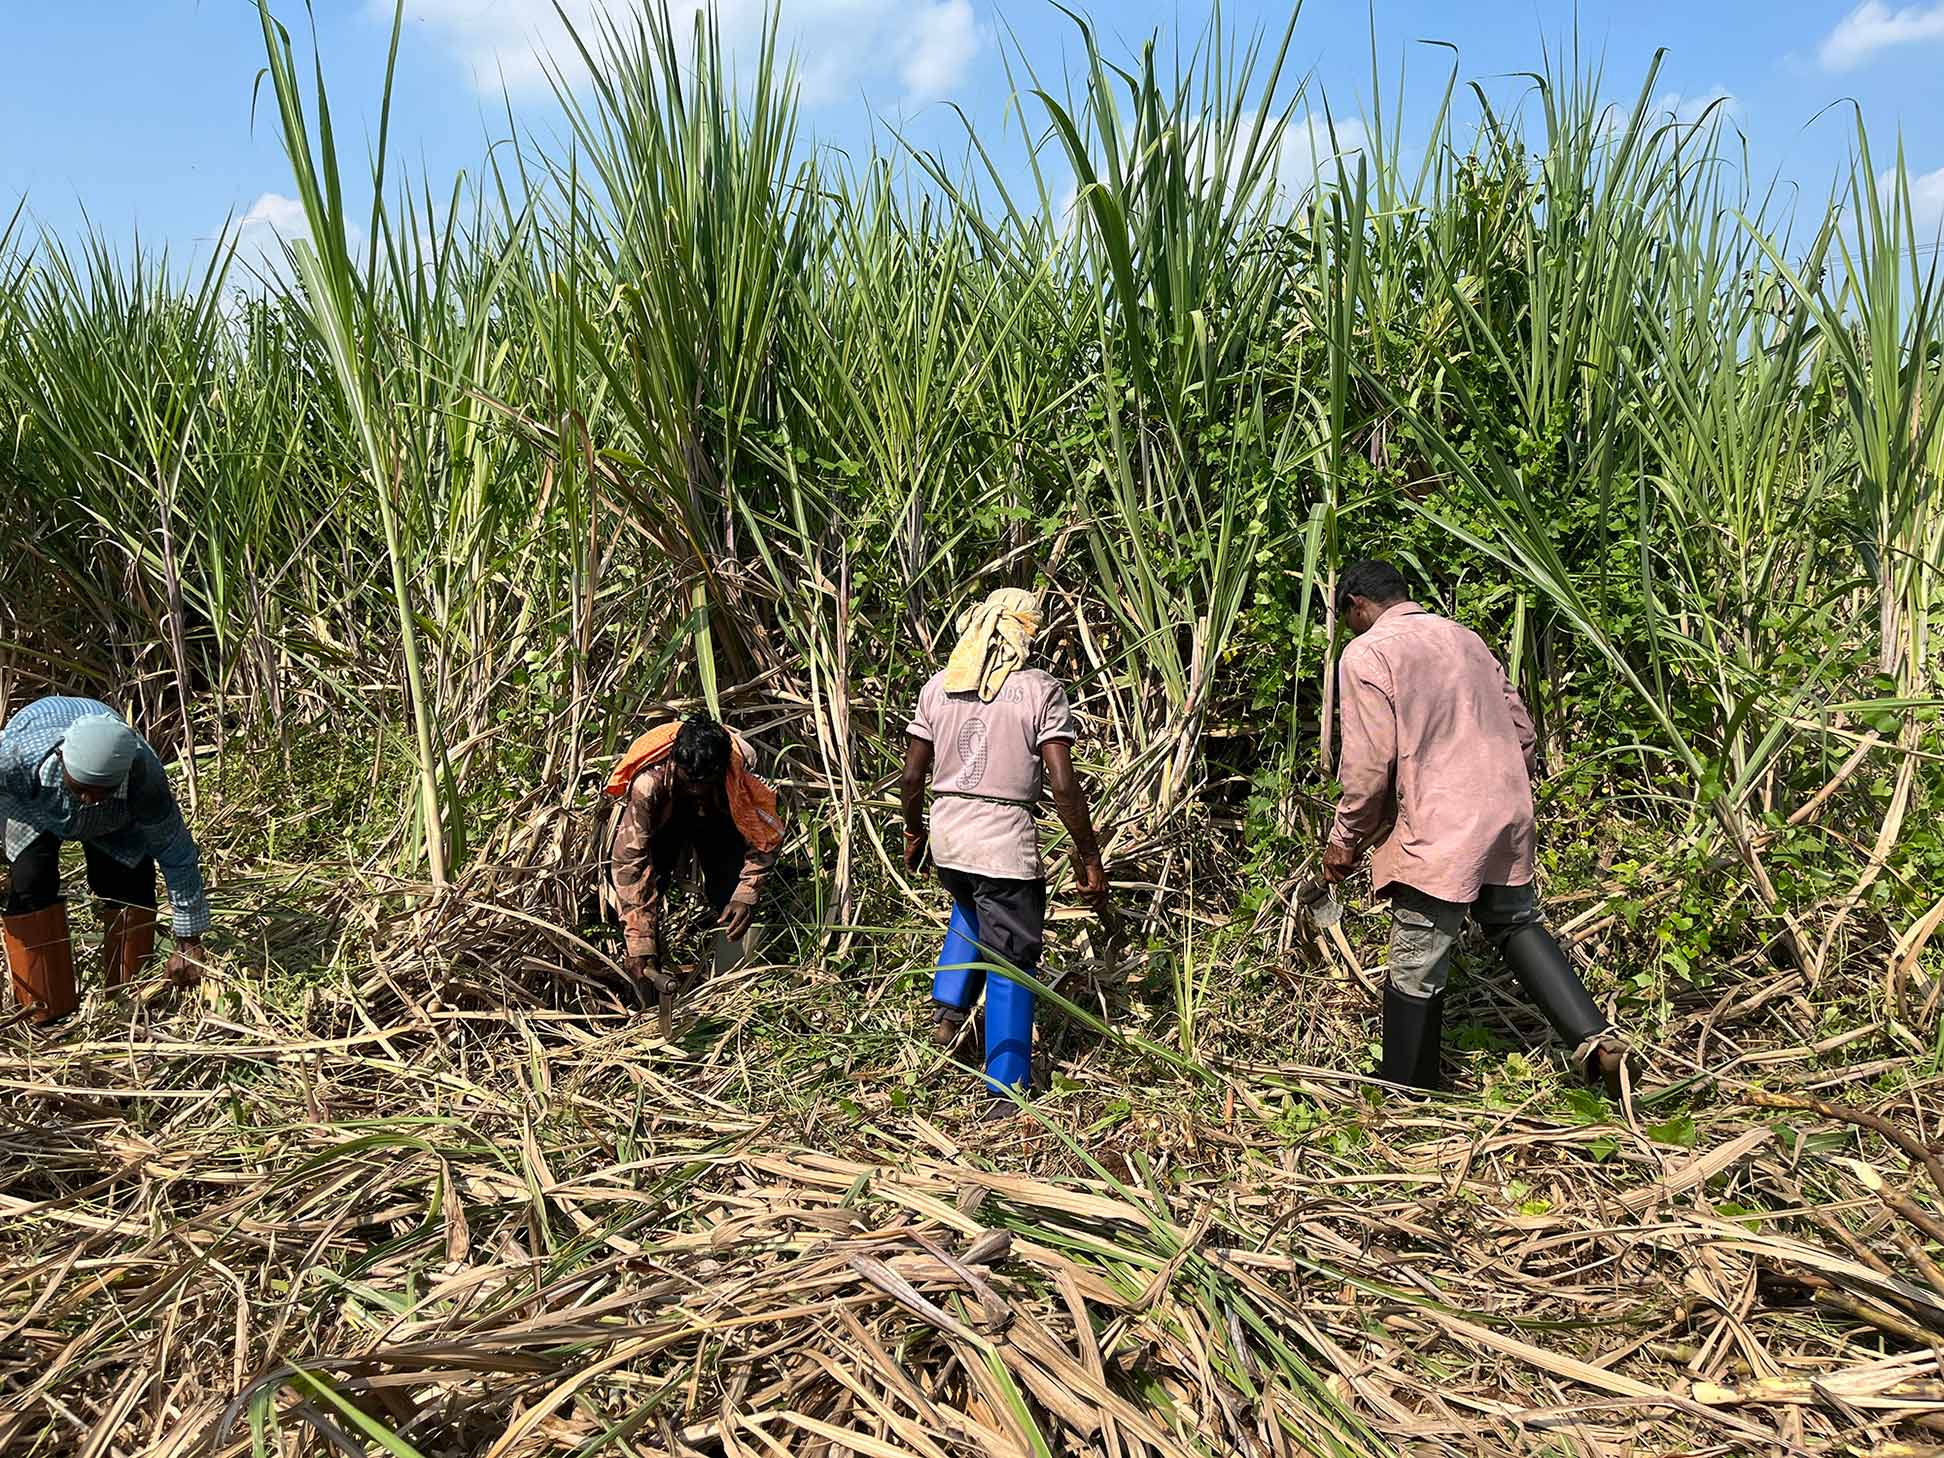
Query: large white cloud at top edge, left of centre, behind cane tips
922 46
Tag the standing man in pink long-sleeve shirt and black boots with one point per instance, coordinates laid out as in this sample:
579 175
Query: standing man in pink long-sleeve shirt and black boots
1436 767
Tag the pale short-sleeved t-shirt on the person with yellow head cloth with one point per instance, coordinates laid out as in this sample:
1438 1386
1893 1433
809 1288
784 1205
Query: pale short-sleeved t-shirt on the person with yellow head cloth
987 775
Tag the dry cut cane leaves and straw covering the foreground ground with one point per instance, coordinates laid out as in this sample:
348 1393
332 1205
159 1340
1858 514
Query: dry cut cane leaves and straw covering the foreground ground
450 1212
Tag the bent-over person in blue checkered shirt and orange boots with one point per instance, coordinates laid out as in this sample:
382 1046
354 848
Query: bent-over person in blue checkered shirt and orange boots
71 769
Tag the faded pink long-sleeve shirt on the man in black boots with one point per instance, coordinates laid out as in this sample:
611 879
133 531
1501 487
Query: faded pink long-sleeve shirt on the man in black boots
1438 747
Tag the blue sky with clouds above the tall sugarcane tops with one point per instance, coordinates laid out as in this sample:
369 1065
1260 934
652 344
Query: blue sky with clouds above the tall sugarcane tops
137 114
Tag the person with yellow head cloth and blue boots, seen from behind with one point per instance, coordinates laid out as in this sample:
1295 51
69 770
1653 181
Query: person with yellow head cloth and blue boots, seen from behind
992 736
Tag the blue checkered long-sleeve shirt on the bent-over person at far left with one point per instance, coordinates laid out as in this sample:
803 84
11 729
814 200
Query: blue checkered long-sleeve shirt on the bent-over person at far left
137 821
